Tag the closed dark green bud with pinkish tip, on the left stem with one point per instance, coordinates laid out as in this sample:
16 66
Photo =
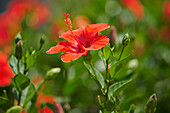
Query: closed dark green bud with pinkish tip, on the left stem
18 50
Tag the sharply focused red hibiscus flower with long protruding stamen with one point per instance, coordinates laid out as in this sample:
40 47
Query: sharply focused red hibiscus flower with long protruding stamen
80 41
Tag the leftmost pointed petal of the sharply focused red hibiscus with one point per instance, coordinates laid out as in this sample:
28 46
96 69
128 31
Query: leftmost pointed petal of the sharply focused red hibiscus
61 46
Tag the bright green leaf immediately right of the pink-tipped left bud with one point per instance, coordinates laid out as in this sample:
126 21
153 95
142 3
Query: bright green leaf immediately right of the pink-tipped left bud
31 59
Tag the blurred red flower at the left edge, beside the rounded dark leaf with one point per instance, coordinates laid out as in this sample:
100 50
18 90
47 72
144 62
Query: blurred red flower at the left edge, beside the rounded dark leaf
6 73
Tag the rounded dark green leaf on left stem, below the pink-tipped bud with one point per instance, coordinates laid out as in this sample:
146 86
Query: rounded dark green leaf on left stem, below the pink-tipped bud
21 81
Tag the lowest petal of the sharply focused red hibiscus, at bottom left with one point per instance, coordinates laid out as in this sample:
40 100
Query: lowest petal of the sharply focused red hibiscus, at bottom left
68 56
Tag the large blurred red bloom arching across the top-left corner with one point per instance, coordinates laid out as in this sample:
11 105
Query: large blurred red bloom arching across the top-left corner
17 11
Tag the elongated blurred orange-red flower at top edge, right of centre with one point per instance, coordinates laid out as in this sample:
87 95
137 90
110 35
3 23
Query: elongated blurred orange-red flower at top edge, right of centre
135 6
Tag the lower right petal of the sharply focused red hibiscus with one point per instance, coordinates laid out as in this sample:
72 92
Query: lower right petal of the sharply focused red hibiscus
99 42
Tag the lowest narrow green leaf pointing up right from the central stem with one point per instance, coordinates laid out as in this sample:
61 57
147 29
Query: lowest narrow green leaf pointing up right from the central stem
115 88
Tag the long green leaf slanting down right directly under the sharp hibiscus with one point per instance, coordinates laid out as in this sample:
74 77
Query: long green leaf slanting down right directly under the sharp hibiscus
99 78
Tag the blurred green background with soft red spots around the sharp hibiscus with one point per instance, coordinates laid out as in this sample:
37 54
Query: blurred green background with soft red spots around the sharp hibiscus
148 22
